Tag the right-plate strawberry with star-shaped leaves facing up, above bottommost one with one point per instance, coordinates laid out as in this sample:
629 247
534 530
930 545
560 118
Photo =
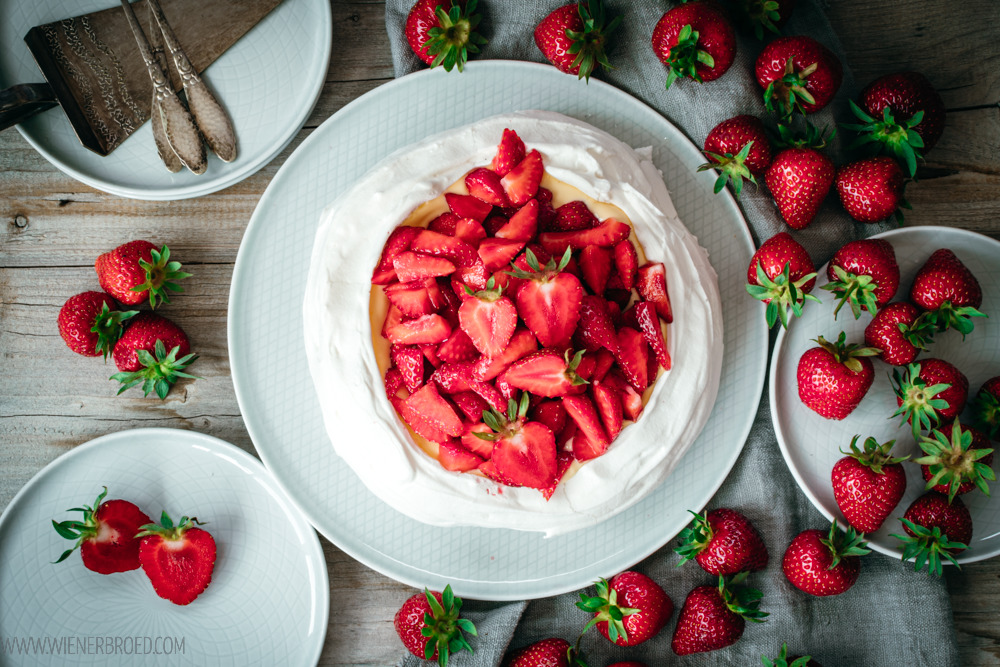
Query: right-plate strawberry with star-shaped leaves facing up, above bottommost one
956 460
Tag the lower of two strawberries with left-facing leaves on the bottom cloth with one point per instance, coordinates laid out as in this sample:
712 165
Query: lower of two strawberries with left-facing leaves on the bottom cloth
628 610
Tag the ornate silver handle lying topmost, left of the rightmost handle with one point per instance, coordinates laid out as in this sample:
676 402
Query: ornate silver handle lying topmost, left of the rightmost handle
178 125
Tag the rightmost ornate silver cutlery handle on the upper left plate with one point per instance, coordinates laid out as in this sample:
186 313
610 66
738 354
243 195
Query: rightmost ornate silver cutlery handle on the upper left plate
210 116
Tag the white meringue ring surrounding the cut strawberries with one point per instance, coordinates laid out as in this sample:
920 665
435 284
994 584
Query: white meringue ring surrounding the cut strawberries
362 425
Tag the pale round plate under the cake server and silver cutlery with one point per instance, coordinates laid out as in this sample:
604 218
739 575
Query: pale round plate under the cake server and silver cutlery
268 81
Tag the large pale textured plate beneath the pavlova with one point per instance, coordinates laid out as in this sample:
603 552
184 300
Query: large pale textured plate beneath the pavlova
276 395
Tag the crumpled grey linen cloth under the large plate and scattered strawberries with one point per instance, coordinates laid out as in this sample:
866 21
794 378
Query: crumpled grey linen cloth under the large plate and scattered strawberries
892 616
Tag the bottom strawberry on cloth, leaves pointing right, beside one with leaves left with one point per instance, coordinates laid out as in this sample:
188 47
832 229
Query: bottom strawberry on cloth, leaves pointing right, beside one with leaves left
714 617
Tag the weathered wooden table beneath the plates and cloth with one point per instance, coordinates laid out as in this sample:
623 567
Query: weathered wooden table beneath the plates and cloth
53 227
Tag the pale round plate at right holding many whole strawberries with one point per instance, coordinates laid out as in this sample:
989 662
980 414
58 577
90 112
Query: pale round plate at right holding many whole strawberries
811 444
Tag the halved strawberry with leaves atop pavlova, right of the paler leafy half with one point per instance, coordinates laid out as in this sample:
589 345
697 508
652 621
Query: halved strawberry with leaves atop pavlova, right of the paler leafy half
549 300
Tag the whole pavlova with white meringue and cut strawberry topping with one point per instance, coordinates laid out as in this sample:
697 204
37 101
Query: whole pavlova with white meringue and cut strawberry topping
508 326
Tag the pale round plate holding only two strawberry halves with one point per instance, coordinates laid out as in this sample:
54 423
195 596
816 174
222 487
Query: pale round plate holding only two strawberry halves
269 599
